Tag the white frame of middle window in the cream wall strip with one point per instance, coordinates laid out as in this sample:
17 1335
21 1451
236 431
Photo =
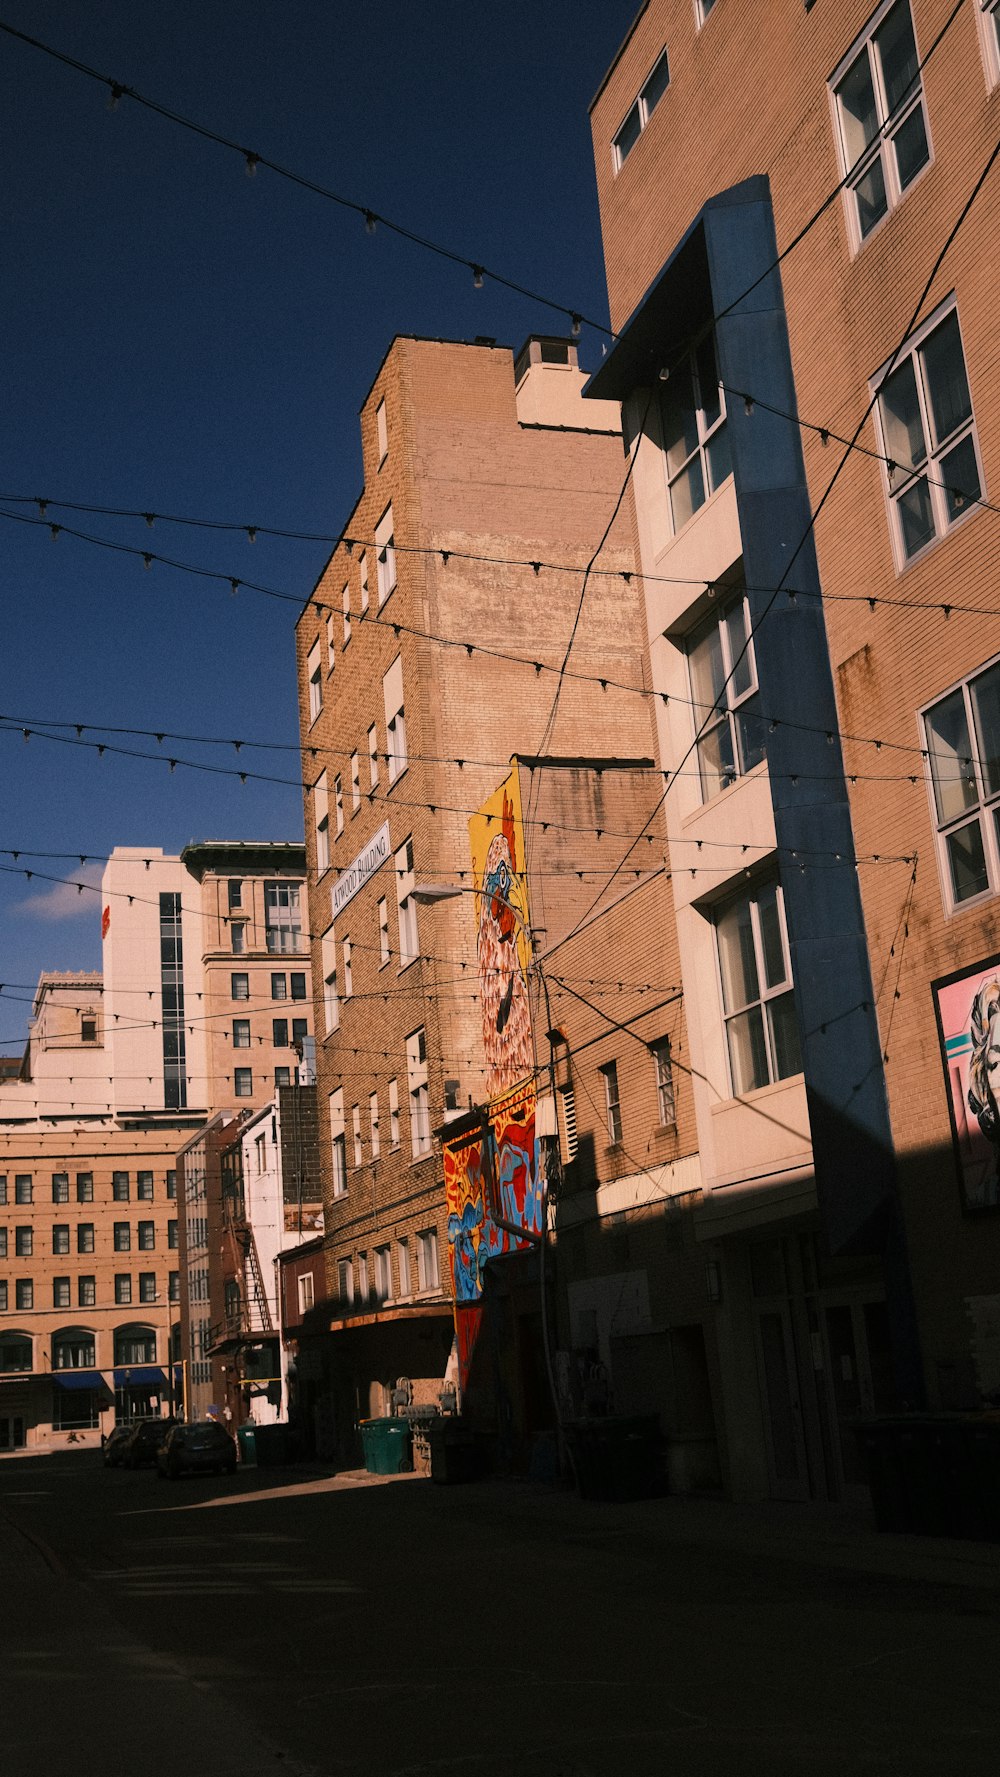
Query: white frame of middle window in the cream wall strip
722 724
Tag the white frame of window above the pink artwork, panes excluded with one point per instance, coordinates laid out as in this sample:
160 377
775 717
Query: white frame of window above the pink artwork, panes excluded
969 767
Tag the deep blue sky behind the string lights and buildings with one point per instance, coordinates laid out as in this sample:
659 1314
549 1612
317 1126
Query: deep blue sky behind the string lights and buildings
182 339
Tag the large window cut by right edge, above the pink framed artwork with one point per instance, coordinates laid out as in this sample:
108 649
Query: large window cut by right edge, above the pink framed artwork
964 756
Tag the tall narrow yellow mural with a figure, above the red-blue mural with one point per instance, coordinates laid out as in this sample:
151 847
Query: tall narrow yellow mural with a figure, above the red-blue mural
496 836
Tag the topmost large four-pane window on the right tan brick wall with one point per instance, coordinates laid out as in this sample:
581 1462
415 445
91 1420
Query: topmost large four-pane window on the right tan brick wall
880 116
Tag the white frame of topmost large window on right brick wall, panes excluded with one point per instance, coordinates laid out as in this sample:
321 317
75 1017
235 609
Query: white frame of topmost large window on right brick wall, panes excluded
889 125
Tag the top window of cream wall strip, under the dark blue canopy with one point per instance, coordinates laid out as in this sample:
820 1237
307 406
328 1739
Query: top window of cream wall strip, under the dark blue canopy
695 442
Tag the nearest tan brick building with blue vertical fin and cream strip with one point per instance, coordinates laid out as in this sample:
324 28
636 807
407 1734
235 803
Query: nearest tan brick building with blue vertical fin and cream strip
827 655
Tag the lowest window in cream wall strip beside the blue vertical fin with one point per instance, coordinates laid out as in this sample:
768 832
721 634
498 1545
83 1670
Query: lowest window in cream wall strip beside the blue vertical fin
758 991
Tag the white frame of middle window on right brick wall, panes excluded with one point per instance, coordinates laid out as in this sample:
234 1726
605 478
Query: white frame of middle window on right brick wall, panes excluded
905 479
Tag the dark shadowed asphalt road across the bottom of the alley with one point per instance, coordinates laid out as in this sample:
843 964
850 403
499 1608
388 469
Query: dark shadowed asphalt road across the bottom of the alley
313 1625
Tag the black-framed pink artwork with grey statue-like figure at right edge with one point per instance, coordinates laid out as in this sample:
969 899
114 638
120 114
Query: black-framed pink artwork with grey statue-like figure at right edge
969 1028
